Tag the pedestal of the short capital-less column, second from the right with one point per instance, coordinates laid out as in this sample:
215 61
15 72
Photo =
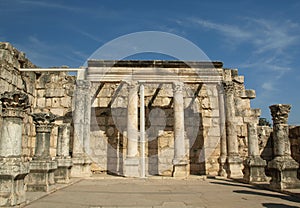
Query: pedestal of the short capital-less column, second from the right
254 170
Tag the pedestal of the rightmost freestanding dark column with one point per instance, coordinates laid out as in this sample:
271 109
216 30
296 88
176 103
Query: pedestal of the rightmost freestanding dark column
284 173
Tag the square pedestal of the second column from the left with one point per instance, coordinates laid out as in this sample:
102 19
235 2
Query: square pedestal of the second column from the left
41 176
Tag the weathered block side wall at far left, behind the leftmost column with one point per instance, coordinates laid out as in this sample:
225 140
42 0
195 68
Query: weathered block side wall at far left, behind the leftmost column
12 79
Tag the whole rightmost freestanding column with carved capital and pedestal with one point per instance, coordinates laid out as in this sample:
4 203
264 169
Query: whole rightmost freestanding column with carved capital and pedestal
283 167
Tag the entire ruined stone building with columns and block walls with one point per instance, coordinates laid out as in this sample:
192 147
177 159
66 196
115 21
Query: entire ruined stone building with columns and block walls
135 119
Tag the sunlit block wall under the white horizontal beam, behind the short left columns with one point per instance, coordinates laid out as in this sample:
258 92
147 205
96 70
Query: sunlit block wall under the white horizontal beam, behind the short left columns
54 92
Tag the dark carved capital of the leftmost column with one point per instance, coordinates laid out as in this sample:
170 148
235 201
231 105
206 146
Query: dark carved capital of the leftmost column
14 103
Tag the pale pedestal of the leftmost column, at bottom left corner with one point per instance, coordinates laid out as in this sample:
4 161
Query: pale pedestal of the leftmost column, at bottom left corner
12 174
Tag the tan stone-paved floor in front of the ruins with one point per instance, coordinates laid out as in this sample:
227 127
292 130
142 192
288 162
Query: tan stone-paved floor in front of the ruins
159 193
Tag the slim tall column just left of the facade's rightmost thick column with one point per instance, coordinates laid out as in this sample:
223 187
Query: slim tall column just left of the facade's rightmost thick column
223 145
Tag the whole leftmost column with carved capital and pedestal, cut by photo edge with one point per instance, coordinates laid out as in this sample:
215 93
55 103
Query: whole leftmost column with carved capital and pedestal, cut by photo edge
12 167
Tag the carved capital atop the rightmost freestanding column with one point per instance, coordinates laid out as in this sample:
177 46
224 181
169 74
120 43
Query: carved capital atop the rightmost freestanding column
280 113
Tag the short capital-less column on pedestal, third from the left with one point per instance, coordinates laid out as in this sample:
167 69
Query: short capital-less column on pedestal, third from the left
64 161
